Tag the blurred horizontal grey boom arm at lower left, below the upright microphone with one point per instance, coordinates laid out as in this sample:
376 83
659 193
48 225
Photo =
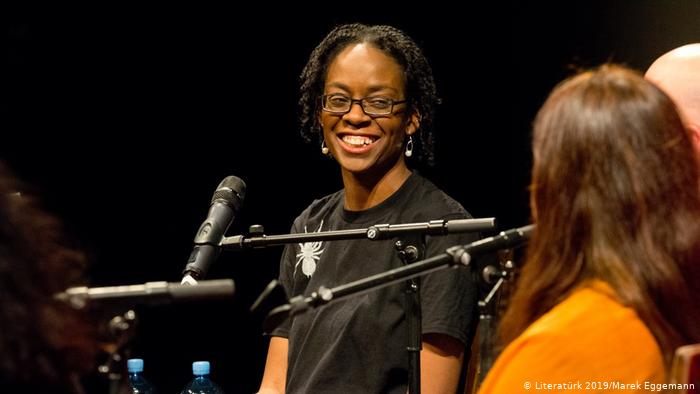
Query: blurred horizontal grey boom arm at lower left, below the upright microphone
148 293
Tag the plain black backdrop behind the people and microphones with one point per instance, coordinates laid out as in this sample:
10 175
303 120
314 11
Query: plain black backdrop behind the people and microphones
125 120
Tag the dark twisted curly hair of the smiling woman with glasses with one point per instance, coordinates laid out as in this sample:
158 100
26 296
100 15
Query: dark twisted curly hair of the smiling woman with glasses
418 76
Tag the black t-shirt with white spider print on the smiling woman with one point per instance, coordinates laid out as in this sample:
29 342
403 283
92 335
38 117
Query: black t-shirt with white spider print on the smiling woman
358 345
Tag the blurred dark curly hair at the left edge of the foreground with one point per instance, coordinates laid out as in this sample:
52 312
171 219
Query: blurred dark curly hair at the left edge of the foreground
44 344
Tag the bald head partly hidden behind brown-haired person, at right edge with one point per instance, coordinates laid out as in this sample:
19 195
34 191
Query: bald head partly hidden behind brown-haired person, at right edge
678 74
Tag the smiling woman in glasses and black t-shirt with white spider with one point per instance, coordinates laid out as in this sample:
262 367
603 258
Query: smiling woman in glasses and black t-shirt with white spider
368 94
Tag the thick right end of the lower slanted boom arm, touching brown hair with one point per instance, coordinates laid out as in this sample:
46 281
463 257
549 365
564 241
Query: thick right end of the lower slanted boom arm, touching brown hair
505 240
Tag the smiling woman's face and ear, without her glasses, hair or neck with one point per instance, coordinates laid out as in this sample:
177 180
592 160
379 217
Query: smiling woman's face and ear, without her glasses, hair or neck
361 143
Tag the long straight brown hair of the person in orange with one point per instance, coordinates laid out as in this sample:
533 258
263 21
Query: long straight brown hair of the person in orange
615 196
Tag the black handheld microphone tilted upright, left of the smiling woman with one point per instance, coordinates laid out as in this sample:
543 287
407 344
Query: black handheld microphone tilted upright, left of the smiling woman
225 203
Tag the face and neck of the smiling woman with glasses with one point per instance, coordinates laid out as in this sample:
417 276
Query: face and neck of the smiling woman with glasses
367 145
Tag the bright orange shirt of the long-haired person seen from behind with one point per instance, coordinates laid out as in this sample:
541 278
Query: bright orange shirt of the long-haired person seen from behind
586 343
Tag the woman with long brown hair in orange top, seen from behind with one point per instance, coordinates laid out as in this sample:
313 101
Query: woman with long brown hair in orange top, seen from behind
608 289
